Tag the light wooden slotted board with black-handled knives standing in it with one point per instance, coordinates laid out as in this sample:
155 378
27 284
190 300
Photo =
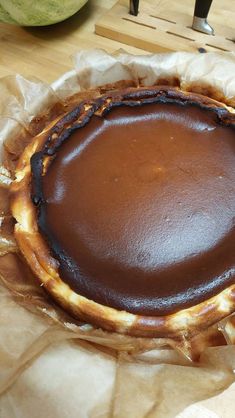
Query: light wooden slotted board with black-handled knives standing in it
165 25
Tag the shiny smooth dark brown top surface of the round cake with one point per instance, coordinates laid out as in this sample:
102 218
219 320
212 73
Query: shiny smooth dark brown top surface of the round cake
139 208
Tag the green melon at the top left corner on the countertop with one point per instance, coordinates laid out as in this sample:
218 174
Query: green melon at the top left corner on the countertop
38 12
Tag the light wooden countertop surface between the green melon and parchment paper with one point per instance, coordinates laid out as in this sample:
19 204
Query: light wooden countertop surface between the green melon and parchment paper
46 52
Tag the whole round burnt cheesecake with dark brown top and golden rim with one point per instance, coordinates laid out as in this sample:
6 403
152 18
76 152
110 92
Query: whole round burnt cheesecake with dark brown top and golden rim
125 211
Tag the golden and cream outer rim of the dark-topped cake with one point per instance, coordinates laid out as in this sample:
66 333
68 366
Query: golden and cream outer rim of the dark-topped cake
187 322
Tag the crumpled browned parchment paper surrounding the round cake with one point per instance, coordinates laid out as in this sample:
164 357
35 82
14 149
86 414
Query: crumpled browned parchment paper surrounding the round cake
54 366
